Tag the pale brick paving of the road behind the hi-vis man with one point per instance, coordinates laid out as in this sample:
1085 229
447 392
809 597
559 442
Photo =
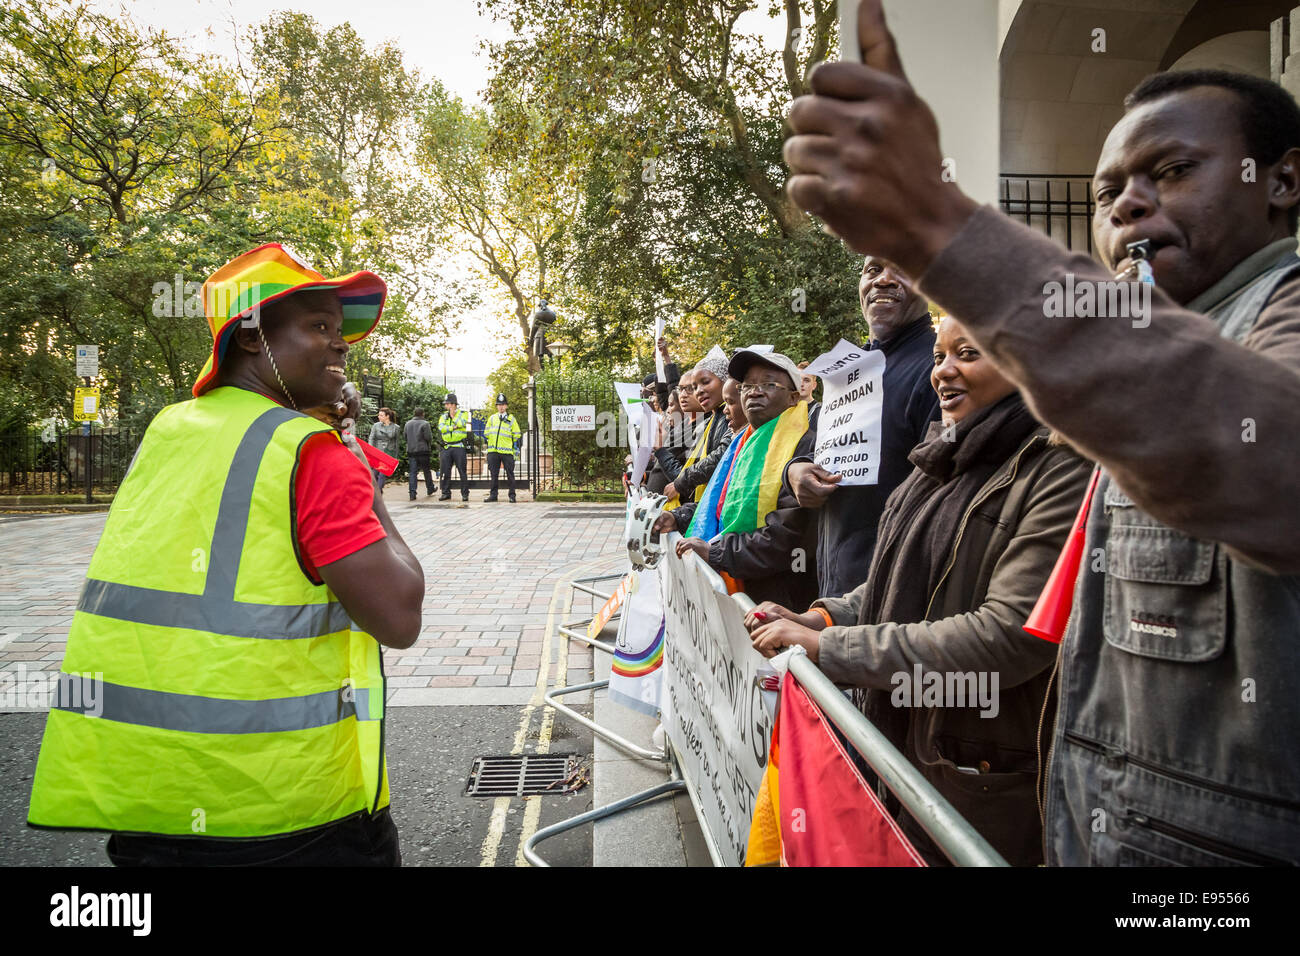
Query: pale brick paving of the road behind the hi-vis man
491 576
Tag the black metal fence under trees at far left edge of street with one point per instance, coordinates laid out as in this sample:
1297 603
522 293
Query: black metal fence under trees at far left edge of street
60 461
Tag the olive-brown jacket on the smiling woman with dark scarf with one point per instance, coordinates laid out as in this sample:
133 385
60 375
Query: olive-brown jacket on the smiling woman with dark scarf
1002 556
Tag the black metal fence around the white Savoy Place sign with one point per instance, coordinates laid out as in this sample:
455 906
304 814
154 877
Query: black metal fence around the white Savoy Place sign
584 460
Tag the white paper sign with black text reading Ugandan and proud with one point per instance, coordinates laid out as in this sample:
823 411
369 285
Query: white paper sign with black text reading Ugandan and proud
848 432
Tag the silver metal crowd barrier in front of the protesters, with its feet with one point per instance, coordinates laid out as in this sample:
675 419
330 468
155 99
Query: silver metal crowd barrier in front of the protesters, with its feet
955 837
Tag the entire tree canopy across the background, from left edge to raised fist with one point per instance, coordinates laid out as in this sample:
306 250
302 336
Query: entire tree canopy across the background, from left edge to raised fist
625 165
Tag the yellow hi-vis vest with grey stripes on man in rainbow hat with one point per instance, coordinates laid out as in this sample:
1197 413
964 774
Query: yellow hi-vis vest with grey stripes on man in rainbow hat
236 698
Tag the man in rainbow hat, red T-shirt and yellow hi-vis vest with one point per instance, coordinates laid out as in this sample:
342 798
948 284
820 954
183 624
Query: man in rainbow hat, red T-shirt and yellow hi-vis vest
229 629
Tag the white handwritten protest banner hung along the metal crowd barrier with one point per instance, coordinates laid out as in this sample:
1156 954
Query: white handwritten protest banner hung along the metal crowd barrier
714 712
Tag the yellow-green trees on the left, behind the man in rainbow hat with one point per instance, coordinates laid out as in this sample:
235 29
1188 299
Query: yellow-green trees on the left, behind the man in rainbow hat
132 168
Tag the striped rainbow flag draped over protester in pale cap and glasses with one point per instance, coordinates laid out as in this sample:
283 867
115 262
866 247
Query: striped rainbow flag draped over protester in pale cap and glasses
756 478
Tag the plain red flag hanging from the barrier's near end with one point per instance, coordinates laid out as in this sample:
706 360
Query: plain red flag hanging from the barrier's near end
830 816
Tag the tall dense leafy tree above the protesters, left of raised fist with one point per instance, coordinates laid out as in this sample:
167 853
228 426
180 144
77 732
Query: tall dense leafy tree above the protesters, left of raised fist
674 120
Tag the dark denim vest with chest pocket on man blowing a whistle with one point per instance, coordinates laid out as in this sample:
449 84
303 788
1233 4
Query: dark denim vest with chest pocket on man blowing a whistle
1180 700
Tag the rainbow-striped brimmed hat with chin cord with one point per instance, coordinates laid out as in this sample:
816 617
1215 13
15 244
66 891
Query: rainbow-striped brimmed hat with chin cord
272 272
